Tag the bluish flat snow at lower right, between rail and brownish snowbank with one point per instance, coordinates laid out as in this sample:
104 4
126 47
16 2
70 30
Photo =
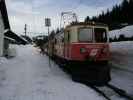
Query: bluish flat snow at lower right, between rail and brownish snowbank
122 79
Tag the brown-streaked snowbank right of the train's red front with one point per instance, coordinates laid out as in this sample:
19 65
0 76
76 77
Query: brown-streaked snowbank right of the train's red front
122 55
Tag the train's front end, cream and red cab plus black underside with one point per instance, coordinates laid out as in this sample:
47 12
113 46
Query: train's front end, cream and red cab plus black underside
87 49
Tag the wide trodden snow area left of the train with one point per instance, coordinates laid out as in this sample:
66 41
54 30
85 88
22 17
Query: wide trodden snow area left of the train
29 77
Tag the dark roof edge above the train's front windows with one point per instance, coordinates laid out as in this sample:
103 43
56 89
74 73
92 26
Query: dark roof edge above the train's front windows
87 23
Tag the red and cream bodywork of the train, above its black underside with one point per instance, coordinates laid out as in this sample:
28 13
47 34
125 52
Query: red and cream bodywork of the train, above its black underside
83 41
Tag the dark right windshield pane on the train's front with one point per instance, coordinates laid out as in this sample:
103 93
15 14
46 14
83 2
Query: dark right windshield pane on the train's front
100 35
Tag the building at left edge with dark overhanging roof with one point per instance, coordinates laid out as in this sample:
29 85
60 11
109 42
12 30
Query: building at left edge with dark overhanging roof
6 34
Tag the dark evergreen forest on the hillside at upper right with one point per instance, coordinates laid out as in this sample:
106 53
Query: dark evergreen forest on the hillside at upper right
118 17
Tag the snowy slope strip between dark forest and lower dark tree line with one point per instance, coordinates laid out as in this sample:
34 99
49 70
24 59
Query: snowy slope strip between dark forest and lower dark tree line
127 31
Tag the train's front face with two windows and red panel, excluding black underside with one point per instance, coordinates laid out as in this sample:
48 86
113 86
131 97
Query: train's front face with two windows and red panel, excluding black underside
92 44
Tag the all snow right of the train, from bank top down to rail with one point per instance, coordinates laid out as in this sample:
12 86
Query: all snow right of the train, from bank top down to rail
122 65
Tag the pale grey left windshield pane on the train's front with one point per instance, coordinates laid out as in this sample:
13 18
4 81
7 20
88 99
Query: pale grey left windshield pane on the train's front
85 35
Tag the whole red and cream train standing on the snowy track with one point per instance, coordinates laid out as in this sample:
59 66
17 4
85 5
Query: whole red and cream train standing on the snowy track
83 49
